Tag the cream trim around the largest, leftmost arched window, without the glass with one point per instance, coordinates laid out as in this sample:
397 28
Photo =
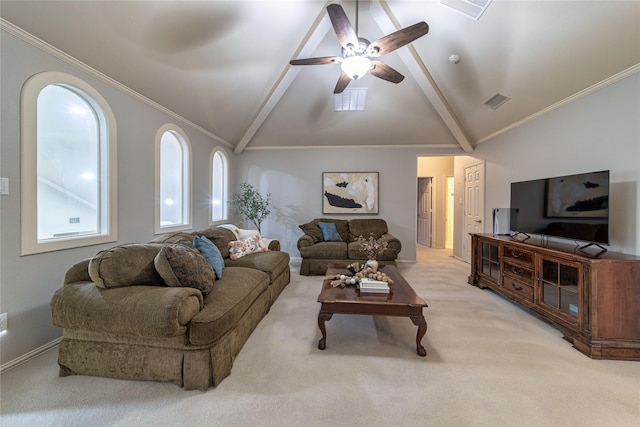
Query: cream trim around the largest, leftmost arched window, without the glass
29 144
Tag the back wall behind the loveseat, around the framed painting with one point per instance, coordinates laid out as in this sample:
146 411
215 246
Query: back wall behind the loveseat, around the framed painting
294 178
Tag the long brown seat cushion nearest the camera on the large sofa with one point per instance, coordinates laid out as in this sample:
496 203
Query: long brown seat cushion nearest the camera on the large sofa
227 302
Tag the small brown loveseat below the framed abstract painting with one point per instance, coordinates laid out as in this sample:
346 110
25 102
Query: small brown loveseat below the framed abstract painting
327 240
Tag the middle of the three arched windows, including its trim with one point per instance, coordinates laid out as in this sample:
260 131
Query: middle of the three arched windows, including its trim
173 186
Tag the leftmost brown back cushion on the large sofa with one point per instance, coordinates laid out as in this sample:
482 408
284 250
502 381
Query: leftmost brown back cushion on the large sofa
124 265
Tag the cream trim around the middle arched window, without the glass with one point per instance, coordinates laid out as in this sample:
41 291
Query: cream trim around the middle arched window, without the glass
186 180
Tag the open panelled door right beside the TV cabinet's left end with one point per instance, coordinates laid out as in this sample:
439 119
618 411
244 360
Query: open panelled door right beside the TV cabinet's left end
473 206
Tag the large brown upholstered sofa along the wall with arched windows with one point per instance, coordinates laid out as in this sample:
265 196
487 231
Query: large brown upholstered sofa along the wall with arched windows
160 311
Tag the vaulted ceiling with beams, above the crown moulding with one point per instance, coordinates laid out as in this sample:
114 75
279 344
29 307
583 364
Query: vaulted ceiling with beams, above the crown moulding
224 65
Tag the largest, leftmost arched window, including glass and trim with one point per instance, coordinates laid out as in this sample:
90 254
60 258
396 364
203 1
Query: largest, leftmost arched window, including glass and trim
68 165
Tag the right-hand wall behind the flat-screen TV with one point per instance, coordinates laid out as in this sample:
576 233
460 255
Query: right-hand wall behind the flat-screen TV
597 132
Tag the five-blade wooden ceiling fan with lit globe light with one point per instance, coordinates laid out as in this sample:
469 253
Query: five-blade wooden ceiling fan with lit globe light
358 53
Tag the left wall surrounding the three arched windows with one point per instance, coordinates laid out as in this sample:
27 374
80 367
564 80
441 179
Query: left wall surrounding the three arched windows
27 283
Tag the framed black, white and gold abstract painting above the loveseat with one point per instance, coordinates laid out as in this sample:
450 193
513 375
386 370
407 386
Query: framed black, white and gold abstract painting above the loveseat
350 193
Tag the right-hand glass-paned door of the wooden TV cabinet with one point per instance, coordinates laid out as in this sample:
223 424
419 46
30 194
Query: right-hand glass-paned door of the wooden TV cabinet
560 286
